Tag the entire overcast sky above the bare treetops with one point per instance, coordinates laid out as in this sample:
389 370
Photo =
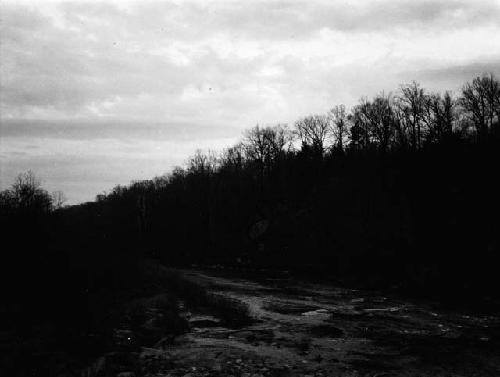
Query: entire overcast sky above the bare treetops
95 94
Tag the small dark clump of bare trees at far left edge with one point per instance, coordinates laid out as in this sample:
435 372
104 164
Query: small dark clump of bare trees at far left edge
28 256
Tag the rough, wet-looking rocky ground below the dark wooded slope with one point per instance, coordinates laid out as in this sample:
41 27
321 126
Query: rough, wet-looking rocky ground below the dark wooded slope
304 329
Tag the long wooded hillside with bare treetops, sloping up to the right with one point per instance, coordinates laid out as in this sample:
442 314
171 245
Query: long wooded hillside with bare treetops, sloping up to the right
399 190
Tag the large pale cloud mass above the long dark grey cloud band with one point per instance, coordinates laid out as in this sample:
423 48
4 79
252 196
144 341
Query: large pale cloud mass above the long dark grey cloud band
82 60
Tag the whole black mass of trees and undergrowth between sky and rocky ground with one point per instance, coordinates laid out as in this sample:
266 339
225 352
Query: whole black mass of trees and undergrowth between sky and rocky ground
400 191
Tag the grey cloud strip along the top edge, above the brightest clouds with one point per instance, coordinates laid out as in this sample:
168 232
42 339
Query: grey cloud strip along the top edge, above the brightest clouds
273 20
